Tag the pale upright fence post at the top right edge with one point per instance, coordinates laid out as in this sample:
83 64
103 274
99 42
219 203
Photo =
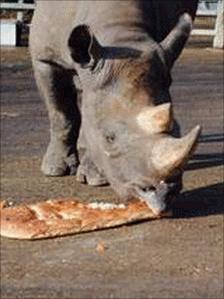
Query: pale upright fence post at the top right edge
218 41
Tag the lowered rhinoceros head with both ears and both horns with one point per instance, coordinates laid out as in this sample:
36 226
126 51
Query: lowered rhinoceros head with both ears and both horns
127 117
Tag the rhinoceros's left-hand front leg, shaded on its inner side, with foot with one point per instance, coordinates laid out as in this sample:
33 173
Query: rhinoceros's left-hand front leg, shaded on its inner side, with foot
57 87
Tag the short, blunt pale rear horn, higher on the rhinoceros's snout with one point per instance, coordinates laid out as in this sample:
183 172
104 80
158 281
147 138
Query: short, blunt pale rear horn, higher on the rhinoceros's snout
155 119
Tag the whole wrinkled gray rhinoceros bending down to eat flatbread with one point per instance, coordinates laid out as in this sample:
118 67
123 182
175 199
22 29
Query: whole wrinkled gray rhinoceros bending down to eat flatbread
98 64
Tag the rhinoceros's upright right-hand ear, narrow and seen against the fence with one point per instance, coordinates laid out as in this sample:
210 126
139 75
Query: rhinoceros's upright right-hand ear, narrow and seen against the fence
176 39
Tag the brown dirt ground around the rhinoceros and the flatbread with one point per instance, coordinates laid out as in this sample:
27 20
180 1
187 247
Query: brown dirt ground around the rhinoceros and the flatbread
181 257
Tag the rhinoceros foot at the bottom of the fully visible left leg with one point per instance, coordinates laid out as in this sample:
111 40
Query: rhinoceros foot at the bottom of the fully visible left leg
58 161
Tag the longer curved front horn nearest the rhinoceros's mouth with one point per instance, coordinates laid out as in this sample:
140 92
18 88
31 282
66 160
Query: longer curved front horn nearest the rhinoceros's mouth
171 153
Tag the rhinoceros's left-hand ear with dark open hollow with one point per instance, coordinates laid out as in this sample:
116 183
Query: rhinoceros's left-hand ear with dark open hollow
84 47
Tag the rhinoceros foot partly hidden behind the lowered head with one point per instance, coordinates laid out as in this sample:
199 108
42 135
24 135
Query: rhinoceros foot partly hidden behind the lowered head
88 173
